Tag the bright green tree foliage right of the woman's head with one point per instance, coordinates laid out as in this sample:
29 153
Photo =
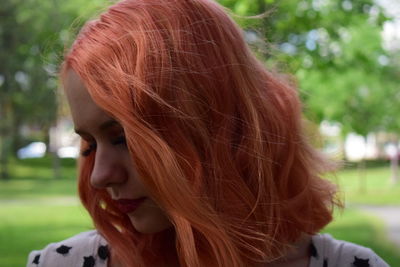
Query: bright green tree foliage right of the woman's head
333 47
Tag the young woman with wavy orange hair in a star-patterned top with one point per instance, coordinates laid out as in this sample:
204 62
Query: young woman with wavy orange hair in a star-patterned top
193 154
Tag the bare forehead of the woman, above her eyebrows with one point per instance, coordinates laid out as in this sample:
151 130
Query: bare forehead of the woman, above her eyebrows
86 114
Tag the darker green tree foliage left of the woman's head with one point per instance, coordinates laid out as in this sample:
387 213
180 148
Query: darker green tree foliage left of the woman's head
33 35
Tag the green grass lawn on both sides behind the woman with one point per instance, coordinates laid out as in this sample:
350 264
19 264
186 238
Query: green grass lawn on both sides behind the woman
36 210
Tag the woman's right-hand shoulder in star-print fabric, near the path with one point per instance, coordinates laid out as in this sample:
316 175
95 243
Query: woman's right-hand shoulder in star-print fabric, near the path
331 252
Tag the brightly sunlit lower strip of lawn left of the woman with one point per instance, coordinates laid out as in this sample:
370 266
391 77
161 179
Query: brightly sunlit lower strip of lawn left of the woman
28 226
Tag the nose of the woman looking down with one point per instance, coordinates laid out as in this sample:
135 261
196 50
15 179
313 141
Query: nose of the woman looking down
108 170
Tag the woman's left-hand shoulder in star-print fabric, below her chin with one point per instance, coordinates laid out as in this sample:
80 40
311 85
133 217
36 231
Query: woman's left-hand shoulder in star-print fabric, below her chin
87 249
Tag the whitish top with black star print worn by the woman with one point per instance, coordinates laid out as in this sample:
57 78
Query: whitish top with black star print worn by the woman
89 249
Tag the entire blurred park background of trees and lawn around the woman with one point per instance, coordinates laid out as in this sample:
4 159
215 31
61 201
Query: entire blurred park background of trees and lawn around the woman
343 55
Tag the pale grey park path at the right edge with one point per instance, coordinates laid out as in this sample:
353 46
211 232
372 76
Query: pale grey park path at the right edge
390 215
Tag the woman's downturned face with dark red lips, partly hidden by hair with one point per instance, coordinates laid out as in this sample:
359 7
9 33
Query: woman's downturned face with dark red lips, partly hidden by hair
113 167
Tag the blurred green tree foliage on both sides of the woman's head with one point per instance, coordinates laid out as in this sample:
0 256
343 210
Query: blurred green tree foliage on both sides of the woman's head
333 47
